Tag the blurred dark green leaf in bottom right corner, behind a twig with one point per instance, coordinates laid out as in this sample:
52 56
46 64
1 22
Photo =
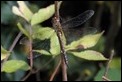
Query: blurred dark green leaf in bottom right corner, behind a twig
113 74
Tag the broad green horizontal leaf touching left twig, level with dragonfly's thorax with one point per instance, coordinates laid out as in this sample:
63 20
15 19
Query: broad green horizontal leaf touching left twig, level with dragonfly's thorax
42 33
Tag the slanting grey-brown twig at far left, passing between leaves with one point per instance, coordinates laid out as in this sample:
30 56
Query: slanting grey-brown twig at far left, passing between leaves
12 47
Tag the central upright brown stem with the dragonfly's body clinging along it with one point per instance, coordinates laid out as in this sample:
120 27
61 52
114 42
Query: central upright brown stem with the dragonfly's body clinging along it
59 32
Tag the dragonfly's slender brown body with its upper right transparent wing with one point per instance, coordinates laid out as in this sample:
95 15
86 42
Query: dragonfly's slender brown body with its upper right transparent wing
78 20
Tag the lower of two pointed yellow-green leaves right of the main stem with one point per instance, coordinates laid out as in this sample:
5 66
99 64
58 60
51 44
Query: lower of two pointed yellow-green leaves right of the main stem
89 55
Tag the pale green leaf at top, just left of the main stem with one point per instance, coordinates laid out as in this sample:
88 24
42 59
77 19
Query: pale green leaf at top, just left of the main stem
42 15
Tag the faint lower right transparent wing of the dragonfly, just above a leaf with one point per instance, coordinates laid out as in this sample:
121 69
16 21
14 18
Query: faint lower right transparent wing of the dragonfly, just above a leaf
74 34
